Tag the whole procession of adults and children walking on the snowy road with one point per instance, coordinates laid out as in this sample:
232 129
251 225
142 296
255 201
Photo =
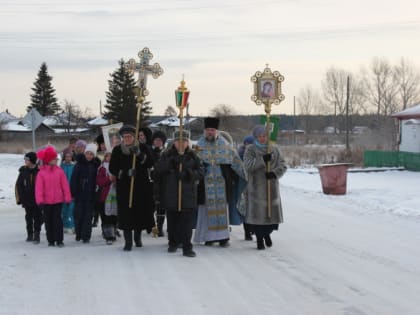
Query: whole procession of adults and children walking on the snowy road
201 191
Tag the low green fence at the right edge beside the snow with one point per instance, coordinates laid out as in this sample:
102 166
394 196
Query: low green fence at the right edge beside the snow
408 160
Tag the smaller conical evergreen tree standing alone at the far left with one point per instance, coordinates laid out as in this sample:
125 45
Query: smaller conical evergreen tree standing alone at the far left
43 99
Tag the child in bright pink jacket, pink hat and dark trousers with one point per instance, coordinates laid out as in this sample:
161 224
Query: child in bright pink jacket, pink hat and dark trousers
51 191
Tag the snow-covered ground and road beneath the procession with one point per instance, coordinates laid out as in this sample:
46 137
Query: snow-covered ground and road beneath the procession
352 254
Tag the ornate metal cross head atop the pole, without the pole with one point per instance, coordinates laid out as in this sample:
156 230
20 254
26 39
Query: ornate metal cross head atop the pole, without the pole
144 68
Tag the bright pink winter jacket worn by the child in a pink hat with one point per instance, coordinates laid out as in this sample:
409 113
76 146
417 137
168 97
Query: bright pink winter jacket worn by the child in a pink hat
51 186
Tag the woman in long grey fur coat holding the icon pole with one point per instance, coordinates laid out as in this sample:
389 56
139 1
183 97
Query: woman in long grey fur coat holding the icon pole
256 158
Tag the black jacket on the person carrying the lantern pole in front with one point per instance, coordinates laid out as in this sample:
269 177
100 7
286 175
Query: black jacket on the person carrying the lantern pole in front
166 179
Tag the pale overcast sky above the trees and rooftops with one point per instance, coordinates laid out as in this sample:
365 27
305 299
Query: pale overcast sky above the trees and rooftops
218 45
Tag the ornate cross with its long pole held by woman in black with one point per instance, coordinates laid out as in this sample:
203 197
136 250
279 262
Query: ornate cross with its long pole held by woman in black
144 68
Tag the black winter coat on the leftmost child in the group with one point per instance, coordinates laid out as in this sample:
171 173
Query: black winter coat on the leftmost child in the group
25 186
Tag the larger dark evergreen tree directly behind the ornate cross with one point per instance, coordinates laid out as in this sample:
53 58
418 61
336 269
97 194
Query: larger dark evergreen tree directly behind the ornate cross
121 99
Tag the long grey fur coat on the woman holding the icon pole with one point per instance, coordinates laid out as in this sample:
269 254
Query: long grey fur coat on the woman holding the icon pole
257 185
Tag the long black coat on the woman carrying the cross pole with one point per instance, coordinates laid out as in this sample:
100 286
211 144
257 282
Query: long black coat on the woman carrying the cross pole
140 215
